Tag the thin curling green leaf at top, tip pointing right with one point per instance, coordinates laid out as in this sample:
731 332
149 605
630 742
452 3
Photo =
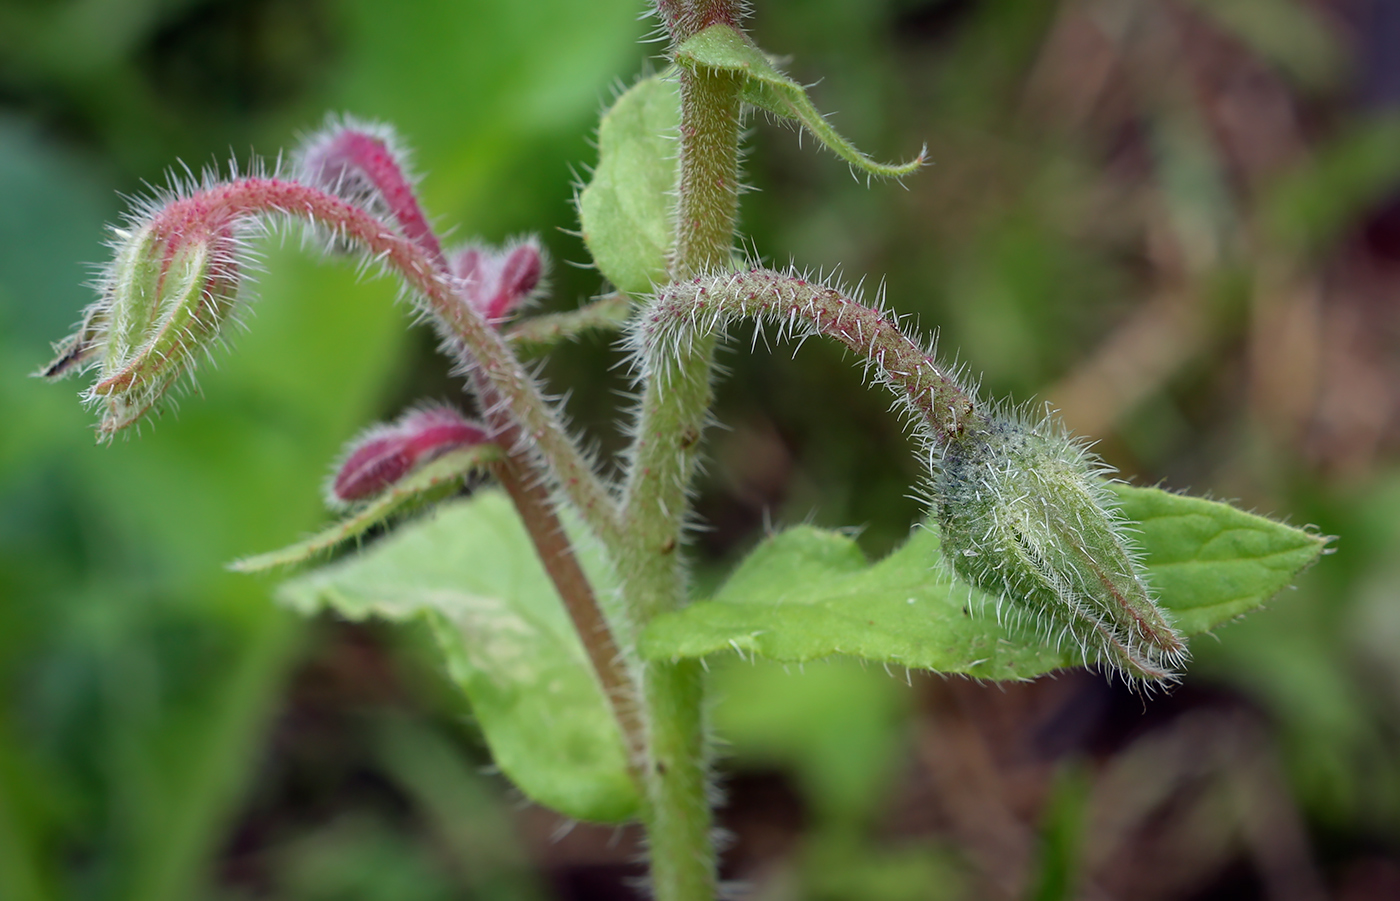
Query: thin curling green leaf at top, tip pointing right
722 47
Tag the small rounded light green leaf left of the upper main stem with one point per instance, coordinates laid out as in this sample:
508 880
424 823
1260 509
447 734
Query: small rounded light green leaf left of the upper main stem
625 211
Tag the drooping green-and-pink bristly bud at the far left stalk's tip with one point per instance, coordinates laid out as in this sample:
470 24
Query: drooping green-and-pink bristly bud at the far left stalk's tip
166 296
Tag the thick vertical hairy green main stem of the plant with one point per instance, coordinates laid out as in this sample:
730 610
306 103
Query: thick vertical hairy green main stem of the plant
656 503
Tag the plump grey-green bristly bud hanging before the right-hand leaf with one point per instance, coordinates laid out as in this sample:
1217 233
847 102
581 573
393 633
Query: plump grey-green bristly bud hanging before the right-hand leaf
1027 518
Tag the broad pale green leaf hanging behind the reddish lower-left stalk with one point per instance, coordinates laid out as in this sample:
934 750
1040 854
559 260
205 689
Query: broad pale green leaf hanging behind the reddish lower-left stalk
472 574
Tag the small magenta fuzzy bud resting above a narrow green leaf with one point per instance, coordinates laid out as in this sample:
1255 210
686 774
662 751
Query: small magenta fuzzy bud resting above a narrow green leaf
386 454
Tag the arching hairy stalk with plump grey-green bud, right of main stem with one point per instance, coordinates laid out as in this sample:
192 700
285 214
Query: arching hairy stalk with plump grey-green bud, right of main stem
1023 509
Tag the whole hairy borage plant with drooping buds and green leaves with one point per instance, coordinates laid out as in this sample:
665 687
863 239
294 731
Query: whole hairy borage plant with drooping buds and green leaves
561 601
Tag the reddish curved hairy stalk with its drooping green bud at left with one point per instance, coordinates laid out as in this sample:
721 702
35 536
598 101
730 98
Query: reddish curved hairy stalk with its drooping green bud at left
170 292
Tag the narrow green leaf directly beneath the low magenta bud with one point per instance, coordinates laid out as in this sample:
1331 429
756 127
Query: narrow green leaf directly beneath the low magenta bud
435 482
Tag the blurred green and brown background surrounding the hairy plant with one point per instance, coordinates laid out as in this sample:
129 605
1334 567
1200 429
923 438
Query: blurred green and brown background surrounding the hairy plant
1175 220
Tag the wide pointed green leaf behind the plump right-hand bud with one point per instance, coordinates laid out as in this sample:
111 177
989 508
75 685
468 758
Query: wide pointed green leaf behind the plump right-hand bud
808 594
